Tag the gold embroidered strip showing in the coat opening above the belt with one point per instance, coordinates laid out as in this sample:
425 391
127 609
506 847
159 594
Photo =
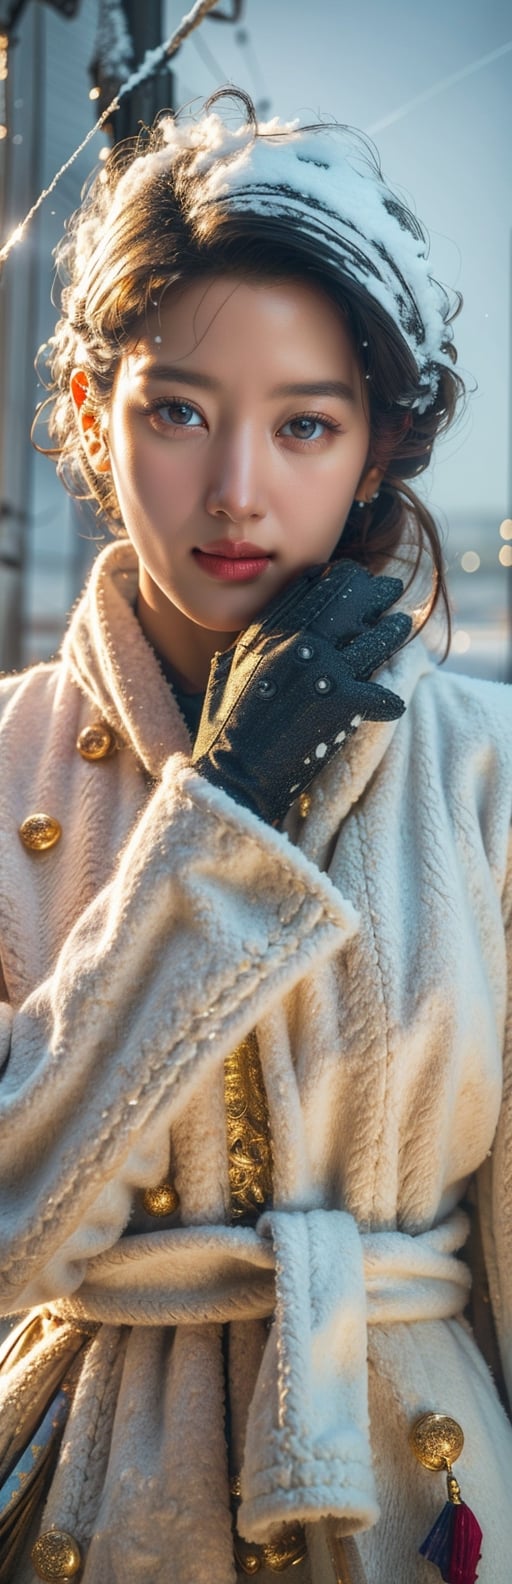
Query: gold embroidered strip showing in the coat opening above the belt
248 1132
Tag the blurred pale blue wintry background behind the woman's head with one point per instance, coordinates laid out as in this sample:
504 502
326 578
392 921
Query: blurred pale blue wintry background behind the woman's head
432 86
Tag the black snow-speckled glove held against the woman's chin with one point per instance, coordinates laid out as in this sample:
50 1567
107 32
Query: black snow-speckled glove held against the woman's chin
281 704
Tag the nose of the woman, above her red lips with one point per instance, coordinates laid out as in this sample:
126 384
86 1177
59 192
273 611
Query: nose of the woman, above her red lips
237 479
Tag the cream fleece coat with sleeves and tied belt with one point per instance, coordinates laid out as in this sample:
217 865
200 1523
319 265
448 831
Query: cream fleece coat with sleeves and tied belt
369 945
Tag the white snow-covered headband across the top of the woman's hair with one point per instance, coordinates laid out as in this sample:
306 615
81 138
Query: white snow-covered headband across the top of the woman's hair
329 185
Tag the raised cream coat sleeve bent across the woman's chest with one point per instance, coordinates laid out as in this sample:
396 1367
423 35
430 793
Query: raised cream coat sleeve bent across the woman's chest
208 920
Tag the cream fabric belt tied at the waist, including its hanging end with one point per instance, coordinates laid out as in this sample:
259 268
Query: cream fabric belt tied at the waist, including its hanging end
308 1447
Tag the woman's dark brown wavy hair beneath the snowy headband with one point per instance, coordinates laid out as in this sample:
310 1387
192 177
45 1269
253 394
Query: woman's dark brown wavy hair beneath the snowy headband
115 268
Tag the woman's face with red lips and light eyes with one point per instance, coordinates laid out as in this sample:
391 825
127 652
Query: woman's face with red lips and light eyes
239 436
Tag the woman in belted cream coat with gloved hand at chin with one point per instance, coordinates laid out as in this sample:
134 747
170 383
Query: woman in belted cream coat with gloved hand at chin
254 912
